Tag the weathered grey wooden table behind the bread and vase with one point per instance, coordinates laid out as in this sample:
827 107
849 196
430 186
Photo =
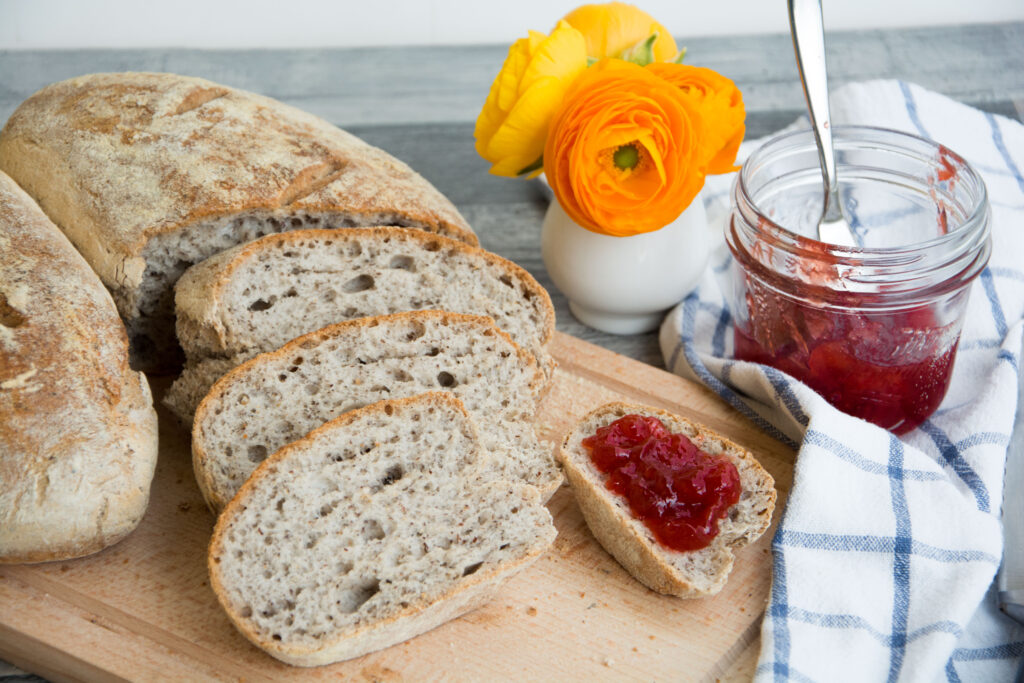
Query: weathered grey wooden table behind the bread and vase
420 103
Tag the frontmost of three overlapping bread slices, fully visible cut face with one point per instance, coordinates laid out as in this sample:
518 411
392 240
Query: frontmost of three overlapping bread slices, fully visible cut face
378 527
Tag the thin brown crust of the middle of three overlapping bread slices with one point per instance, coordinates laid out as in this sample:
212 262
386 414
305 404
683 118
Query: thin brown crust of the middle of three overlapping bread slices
202 460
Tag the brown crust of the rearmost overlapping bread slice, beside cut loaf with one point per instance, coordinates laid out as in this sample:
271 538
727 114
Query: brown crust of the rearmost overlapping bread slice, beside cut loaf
200 295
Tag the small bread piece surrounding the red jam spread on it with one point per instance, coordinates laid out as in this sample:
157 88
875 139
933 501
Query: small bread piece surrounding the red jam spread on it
687 575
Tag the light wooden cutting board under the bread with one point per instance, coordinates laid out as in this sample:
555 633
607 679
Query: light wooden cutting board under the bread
144 609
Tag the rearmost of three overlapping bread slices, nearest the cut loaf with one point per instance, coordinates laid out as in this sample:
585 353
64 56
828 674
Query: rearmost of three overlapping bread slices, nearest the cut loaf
259 296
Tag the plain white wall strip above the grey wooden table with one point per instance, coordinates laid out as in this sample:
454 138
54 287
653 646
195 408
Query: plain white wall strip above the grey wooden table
76 24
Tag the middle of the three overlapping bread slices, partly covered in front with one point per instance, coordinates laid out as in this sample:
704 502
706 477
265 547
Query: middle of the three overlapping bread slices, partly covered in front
280 397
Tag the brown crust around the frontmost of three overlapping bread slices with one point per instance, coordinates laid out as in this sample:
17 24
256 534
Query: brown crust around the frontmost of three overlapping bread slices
419 616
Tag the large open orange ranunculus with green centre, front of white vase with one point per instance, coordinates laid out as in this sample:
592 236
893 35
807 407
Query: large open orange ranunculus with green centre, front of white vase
623 153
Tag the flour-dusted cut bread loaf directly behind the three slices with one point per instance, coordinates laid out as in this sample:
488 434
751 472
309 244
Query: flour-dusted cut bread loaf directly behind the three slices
150 174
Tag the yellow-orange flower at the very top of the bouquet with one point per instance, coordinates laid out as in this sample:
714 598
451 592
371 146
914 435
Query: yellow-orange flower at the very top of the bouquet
615 27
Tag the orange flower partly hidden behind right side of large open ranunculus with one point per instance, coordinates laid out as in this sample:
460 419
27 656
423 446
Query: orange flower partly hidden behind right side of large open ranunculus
722 109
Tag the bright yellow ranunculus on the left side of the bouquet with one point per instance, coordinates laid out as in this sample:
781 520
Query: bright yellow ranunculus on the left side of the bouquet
511 130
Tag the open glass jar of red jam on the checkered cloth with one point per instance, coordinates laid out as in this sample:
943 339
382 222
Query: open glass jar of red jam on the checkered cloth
874 328
